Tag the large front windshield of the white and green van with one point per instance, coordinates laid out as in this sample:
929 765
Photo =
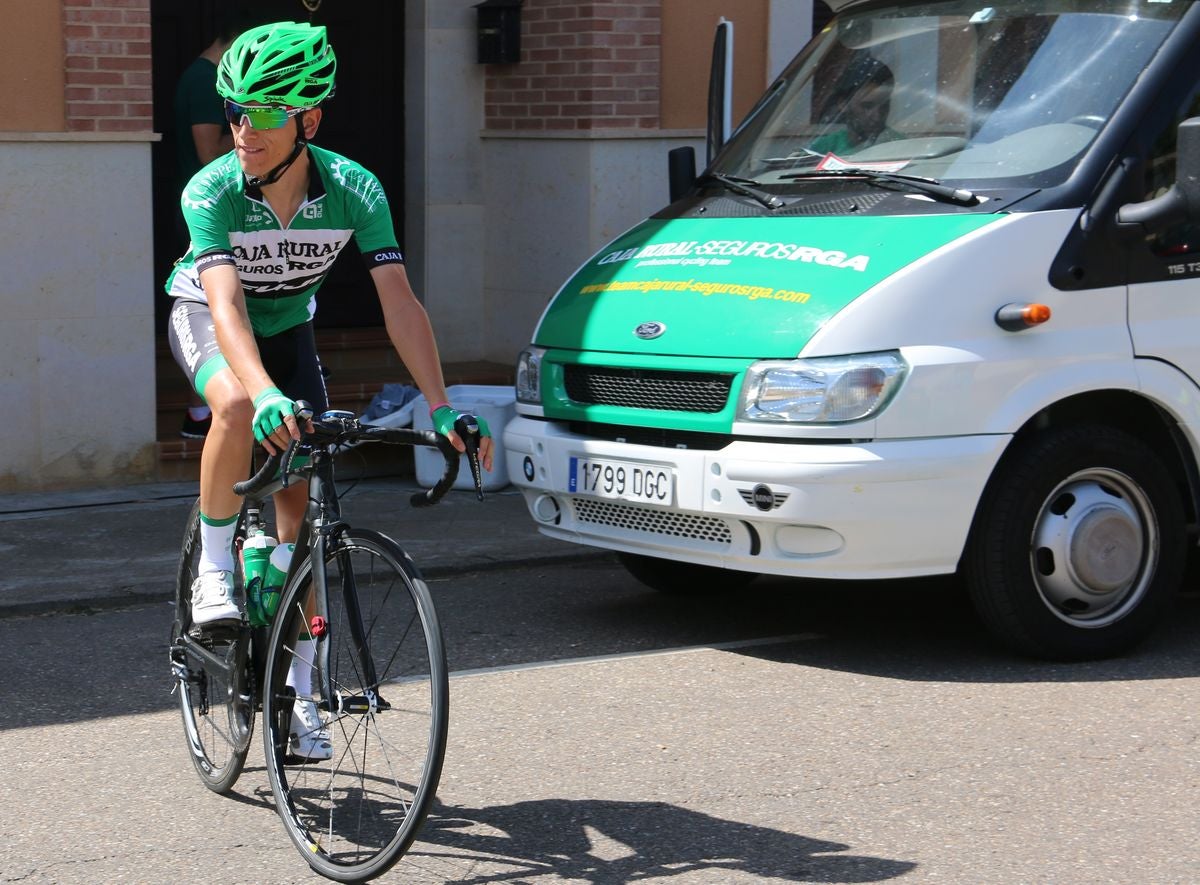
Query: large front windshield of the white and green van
1010 93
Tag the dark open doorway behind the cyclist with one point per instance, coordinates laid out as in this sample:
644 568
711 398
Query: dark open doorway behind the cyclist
364 121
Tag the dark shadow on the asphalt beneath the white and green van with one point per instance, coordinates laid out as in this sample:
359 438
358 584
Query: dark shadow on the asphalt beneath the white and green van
915 630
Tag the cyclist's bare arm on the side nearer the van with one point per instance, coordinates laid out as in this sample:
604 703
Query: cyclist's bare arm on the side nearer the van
409 327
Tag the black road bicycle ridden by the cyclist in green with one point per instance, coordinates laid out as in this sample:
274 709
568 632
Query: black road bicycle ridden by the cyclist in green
379 665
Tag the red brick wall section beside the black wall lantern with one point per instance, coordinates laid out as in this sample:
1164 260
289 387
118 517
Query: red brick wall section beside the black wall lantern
585 67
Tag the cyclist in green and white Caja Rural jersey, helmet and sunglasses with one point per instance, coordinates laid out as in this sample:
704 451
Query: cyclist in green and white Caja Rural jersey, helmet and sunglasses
267 222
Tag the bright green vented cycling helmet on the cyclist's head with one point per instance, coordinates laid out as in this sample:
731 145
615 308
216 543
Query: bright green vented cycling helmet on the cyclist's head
286 63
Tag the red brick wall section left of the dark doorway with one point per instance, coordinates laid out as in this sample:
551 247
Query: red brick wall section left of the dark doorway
109 83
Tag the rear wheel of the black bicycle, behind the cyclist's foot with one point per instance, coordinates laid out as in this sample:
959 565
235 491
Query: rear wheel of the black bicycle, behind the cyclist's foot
217 703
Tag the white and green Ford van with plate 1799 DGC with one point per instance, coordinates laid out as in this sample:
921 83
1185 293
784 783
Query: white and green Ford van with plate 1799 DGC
962 336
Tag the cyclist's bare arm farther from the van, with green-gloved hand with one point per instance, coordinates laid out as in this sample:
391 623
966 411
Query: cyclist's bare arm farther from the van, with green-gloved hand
236 338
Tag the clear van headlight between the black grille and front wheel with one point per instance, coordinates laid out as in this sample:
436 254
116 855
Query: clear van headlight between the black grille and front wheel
824 390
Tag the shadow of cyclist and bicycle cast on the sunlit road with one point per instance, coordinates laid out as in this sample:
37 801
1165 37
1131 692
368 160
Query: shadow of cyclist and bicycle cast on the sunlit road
599 841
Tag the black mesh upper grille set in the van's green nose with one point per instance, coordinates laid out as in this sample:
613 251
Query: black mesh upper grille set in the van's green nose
637 389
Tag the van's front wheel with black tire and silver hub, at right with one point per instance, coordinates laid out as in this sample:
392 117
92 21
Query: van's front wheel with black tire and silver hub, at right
1079 545
